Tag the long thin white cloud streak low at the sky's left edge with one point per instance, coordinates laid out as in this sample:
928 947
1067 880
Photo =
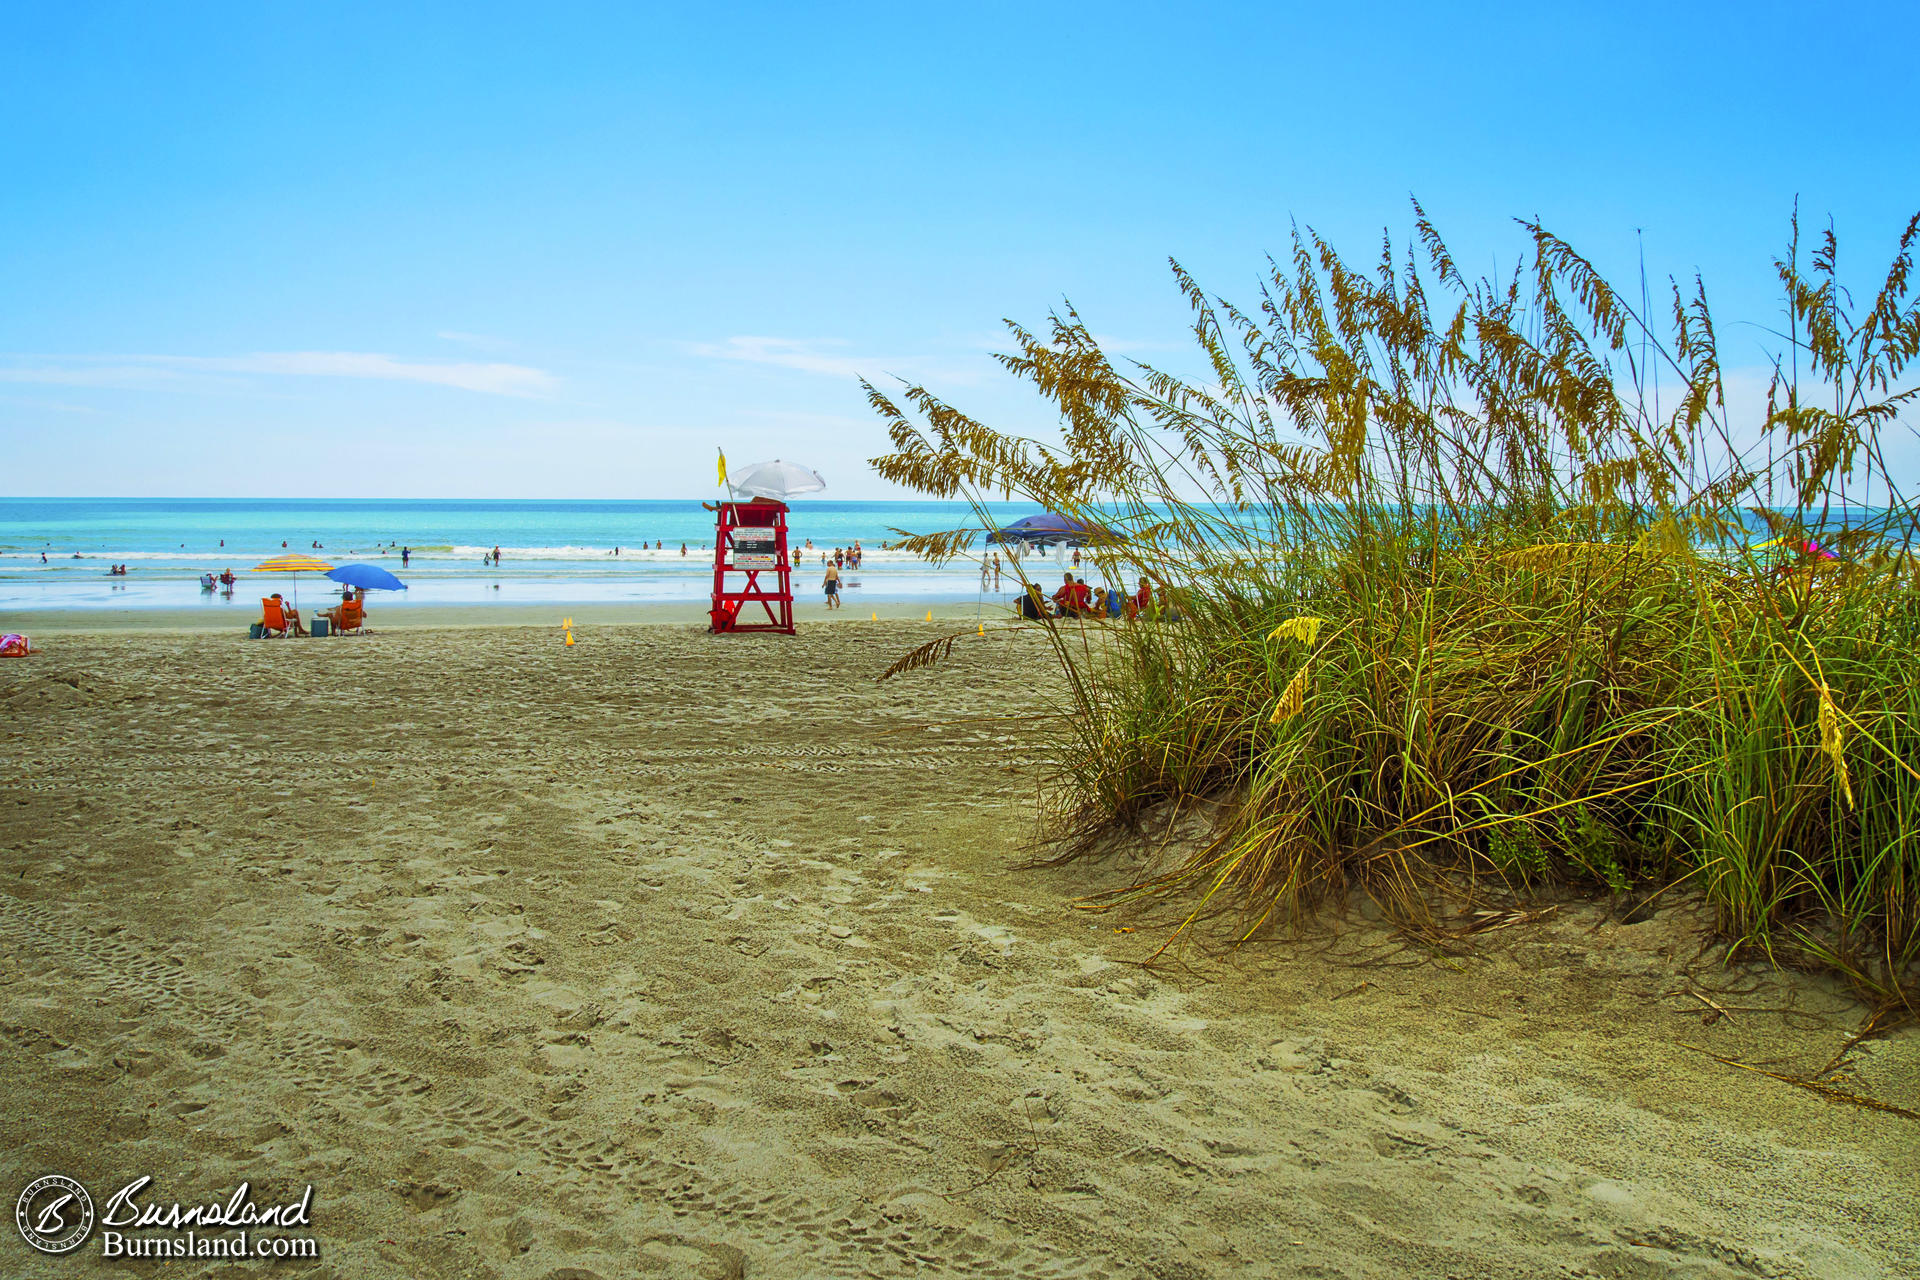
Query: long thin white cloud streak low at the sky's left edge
149 371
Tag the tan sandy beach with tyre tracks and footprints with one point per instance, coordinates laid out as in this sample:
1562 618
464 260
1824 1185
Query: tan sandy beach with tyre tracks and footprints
688 957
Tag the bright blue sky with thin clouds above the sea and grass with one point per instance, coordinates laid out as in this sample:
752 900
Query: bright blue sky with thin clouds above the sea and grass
567 250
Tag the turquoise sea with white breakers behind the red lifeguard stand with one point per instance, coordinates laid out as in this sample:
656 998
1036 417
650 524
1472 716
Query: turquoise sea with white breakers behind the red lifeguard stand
552 552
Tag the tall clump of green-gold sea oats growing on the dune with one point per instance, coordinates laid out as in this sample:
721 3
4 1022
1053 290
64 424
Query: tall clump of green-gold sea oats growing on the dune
1470 592
